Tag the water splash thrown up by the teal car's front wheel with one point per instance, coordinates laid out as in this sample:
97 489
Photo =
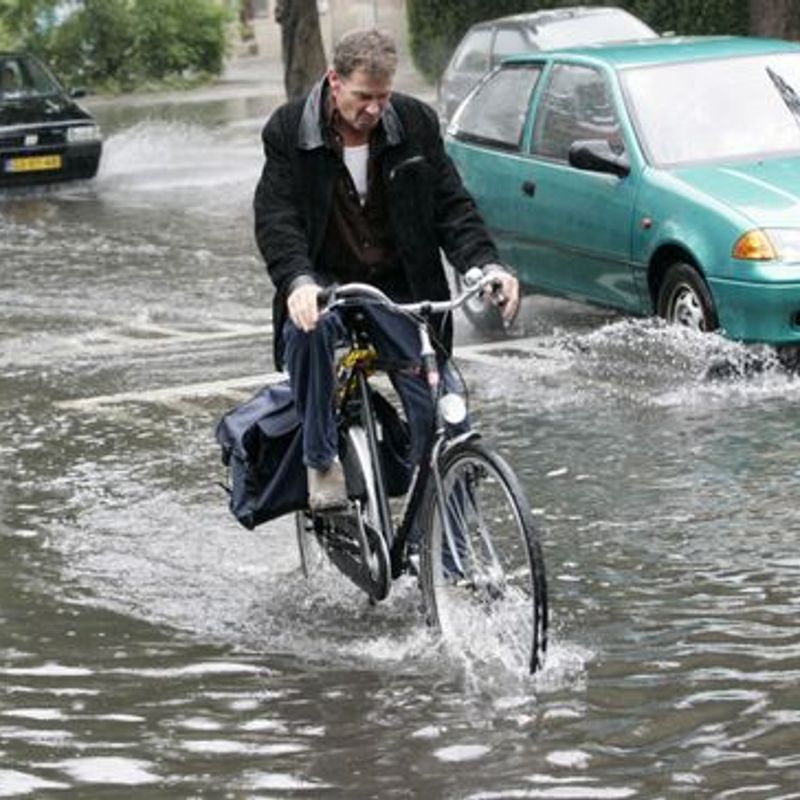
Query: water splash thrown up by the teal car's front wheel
639 362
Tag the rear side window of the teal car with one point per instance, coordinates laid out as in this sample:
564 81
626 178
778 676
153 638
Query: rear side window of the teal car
495 113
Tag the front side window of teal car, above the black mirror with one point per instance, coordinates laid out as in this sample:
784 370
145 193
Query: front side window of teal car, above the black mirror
575 105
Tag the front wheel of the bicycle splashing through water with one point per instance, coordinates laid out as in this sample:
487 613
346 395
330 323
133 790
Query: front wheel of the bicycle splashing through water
482 568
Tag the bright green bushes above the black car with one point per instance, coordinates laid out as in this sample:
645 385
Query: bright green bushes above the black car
120 44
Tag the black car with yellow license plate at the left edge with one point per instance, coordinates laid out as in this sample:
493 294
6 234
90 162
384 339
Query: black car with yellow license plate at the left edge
44 134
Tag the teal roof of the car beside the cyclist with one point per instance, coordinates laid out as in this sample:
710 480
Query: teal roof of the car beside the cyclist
670 49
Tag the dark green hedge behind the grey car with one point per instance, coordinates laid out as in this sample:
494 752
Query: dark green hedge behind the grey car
436 26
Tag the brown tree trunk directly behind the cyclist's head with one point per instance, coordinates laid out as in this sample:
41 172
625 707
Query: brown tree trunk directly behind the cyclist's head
301 44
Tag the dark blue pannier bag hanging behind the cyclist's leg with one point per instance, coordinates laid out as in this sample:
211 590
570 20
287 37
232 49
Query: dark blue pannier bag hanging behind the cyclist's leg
262 446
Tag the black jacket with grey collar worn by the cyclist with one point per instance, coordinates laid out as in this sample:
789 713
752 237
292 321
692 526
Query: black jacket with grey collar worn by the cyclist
428 205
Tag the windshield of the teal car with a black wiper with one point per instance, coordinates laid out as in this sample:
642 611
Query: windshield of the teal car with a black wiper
716 111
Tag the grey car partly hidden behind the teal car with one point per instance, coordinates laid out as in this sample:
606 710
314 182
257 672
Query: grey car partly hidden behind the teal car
487 43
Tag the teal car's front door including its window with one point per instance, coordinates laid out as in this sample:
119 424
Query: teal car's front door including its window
574 225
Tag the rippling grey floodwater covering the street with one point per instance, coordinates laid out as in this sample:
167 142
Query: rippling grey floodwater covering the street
150 647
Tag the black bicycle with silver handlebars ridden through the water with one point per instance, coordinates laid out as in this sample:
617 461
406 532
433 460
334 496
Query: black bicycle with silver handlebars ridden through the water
479 562
